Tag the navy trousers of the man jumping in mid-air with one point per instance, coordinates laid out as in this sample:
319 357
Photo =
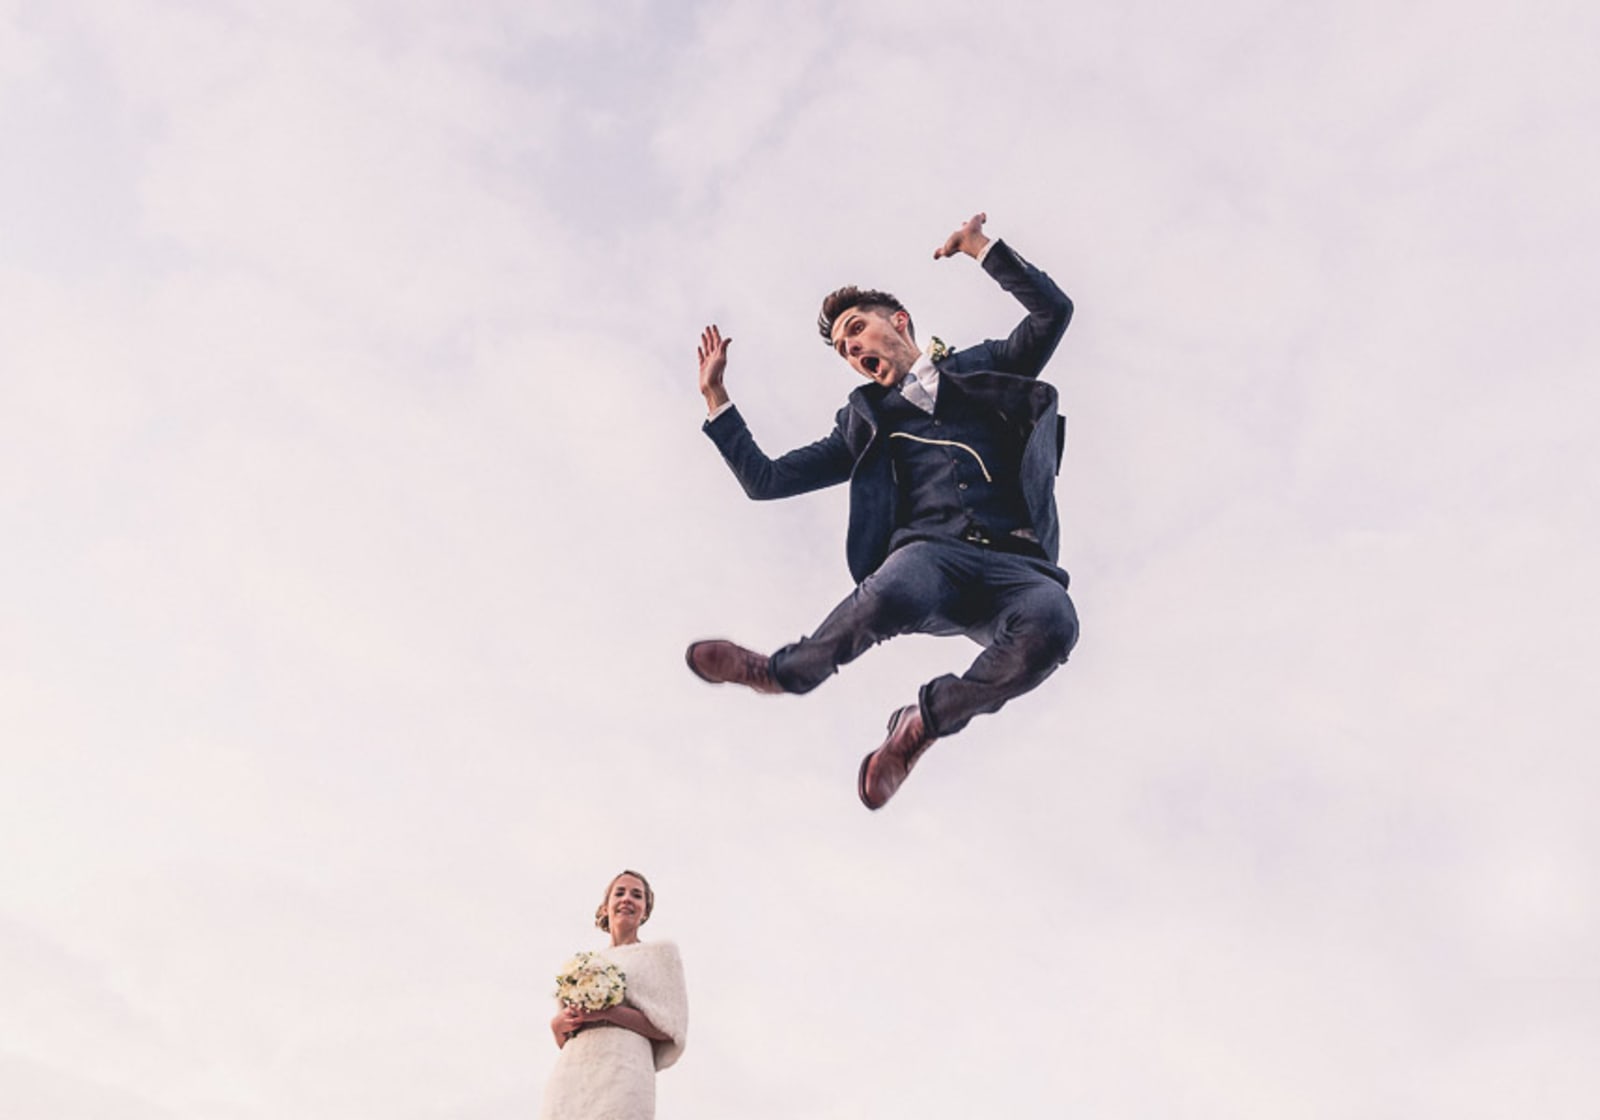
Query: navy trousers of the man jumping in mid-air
1015 607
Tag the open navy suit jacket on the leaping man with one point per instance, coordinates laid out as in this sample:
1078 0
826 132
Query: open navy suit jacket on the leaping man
1001 375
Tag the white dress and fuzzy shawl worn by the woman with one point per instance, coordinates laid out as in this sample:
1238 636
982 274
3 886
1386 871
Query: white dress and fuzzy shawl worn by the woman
610 1073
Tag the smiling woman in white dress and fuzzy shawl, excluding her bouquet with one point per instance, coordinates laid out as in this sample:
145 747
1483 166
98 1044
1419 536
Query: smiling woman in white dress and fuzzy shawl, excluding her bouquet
609 1062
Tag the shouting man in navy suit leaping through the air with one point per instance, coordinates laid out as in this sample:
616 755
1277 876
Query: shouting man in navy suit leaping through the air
951 460
